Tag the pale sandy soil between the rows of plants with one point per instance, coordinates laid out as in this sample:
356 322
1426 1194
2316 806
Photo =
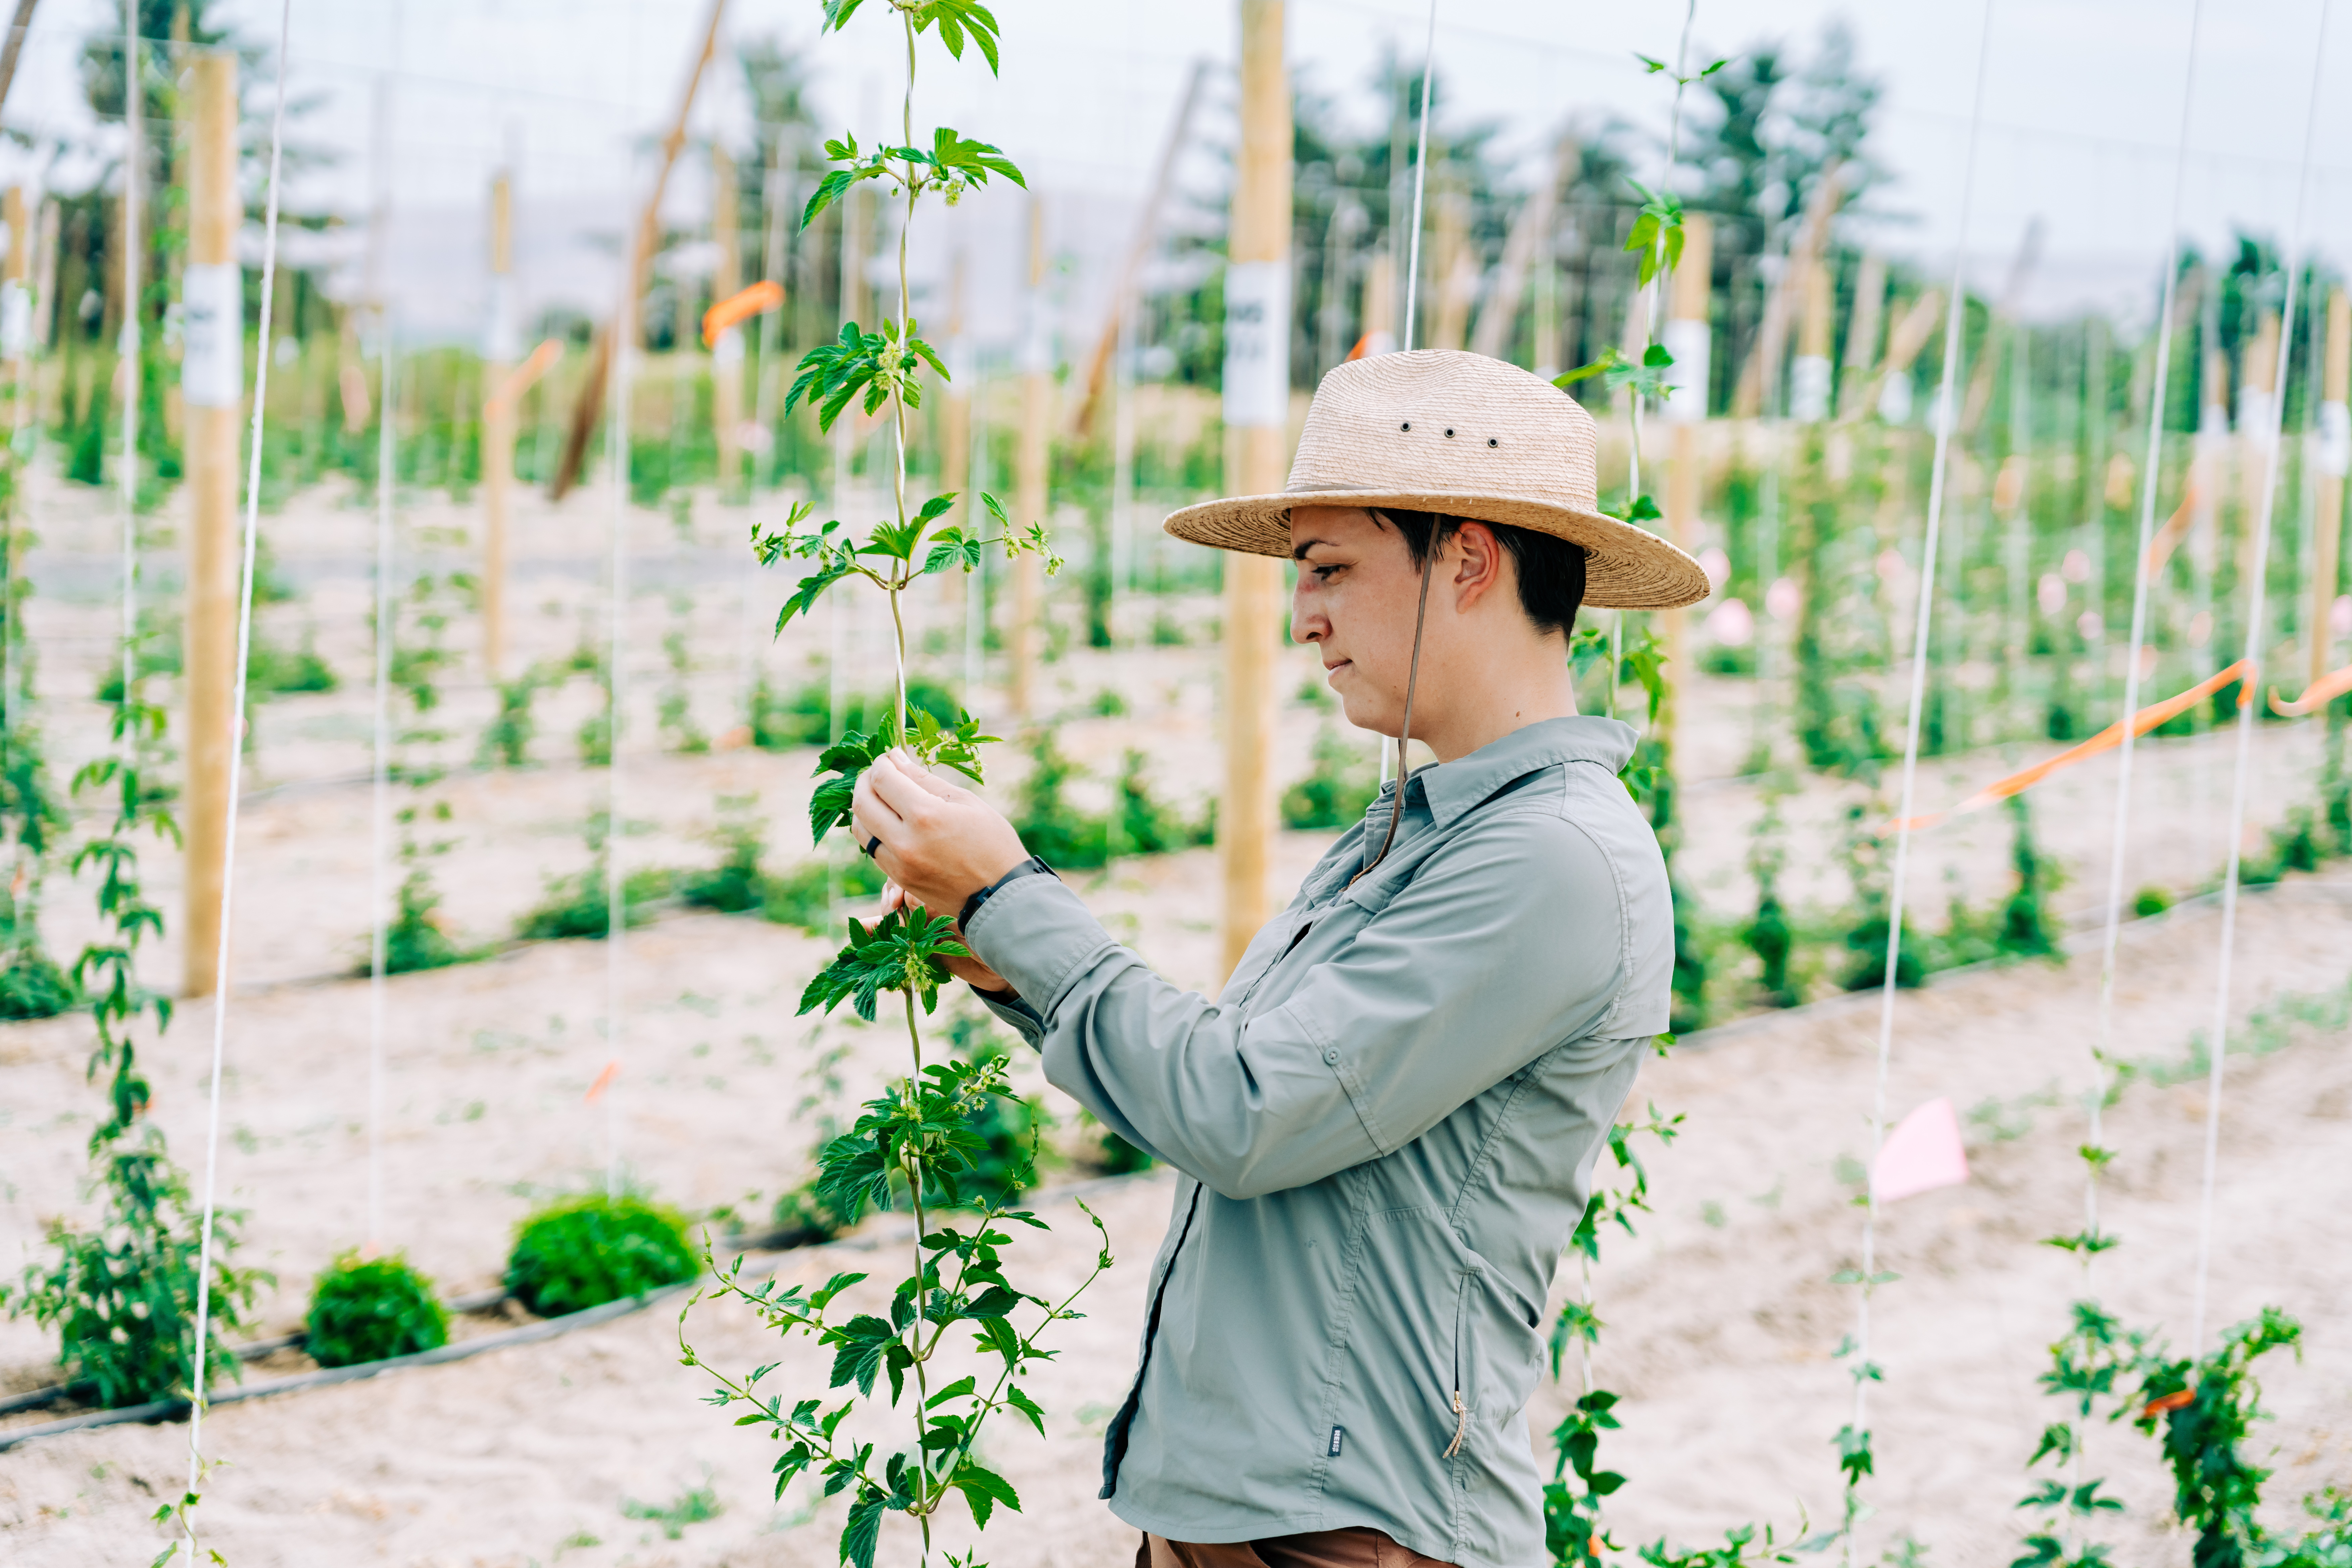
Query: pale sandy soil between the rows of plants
1720 1315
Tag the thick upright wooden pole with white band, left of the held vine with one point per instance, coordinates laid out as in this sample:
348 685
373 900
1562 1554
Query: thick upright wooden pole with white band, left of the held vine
213 387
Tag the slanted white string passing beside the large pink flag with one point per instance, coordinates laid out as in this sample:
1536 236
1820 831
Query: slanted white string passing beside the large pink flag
1946 420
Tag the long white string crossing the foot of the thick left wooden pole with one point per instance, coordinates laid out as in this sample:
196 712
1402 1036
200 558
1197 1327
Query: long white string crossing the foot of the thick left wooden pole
229 845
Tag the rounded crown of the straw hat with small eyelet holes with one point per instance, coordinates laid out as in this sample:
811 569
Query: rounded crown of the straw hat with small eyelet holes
1438 420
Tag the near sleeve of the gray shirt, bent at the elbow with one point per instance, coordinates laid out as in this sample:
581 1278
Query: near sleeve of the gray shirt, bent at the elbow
1504 944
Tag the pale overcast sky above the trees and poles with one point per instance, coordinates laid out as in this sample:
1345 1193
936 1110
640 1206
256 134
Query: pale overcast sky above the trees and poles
2080 107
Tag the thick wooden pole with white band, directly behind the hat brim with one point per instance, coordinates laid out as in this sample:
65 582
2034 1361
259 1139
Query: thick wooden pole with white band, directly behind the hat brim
1257 422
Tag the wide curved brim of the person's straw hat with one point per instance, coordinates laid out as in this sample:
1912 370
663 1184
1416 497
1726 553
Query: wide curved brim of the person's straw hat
1626 568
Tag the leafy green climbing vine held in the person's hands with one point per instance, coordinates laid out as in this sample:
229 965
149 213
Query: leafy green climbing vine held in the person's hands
921 1141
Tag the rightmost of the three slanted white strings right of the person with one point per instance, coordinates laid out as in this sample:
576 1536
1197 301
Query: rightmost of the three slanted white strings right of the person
2247 692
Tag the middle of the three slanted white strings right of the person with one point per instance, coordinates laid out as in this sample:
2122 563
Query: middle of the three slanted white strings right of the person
2139 638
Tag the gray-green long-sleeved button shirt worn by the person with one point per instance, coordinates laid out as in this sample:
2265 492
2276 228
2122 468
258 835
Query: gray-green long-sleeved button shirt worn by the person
1387 1130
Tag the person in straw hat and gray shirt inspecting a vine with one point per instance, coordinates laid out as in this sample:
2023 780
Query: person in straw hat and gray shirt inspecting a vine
1387 1123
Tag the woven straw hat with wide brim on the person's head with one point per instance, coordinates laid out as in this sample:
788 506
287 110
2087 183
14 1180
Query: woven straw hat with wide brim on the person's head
1443 431
